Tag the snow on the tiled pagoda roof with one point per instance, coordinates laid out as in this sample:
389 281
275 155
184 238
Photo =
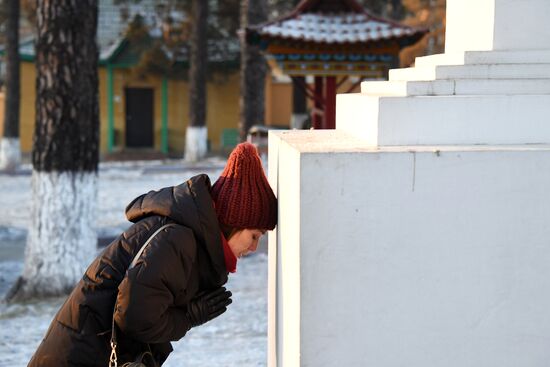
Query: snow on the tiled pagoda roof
334 28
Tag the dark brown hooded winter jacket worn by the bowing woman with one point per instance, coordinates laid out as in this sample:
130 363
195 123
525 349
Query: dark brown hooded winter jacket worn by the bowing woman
151 297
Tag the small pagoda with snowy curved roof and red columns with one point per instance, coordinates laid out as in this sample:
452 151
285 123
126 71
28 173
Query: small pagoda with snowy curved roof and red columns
331 40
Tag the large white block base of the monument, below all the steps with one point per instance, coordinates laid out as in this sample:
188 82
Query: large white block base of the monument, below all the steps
408 256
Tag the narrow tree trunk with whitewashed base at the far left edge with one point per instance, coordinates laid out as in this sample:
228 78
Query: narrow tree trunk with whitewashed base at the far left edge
10 152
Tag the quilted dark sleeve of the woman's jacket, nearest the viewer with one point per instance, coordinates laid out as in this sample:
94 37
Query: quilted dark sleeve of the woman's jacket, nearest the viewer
145 303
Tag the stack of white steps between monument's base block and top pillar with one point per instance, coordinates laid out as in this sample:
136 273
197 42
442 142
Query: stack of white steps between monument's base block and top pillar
474 97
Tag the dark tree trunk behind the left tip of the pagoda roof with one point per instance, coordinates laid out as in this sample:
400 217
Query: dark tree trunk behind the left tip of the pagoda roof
253 70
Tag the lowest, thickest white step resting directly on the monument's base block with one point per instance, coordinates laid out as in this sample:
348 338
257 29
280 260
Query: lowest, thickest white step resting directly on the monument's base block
445 120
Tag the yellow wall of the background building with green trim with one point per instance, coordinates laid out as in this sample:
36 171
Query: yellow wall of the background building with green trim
222 108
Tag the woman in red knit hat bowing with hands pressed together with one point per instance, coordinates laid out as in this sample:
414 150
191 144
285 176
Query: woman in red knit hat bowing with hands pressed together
177 282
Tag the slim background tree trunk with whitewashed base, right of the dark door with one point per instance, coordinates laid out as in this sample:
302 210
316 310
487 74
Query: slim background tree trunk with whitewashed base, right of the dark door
196 135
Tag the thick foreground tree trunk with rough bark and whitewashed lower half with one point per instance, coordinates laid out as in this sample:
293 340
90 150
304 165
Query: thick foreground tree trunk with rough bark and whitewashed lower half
62 238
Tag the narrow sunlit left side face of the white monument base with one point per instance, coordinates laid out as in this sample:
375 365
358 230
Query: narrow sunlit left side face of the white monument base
284 261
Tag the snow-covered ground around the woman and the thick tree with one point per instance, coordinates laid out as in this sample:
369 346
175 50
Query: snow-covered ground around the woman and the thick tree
237 338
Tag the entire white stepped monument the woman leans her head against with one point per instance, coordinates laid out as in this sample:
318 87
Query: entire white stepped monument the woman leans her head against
393 252
